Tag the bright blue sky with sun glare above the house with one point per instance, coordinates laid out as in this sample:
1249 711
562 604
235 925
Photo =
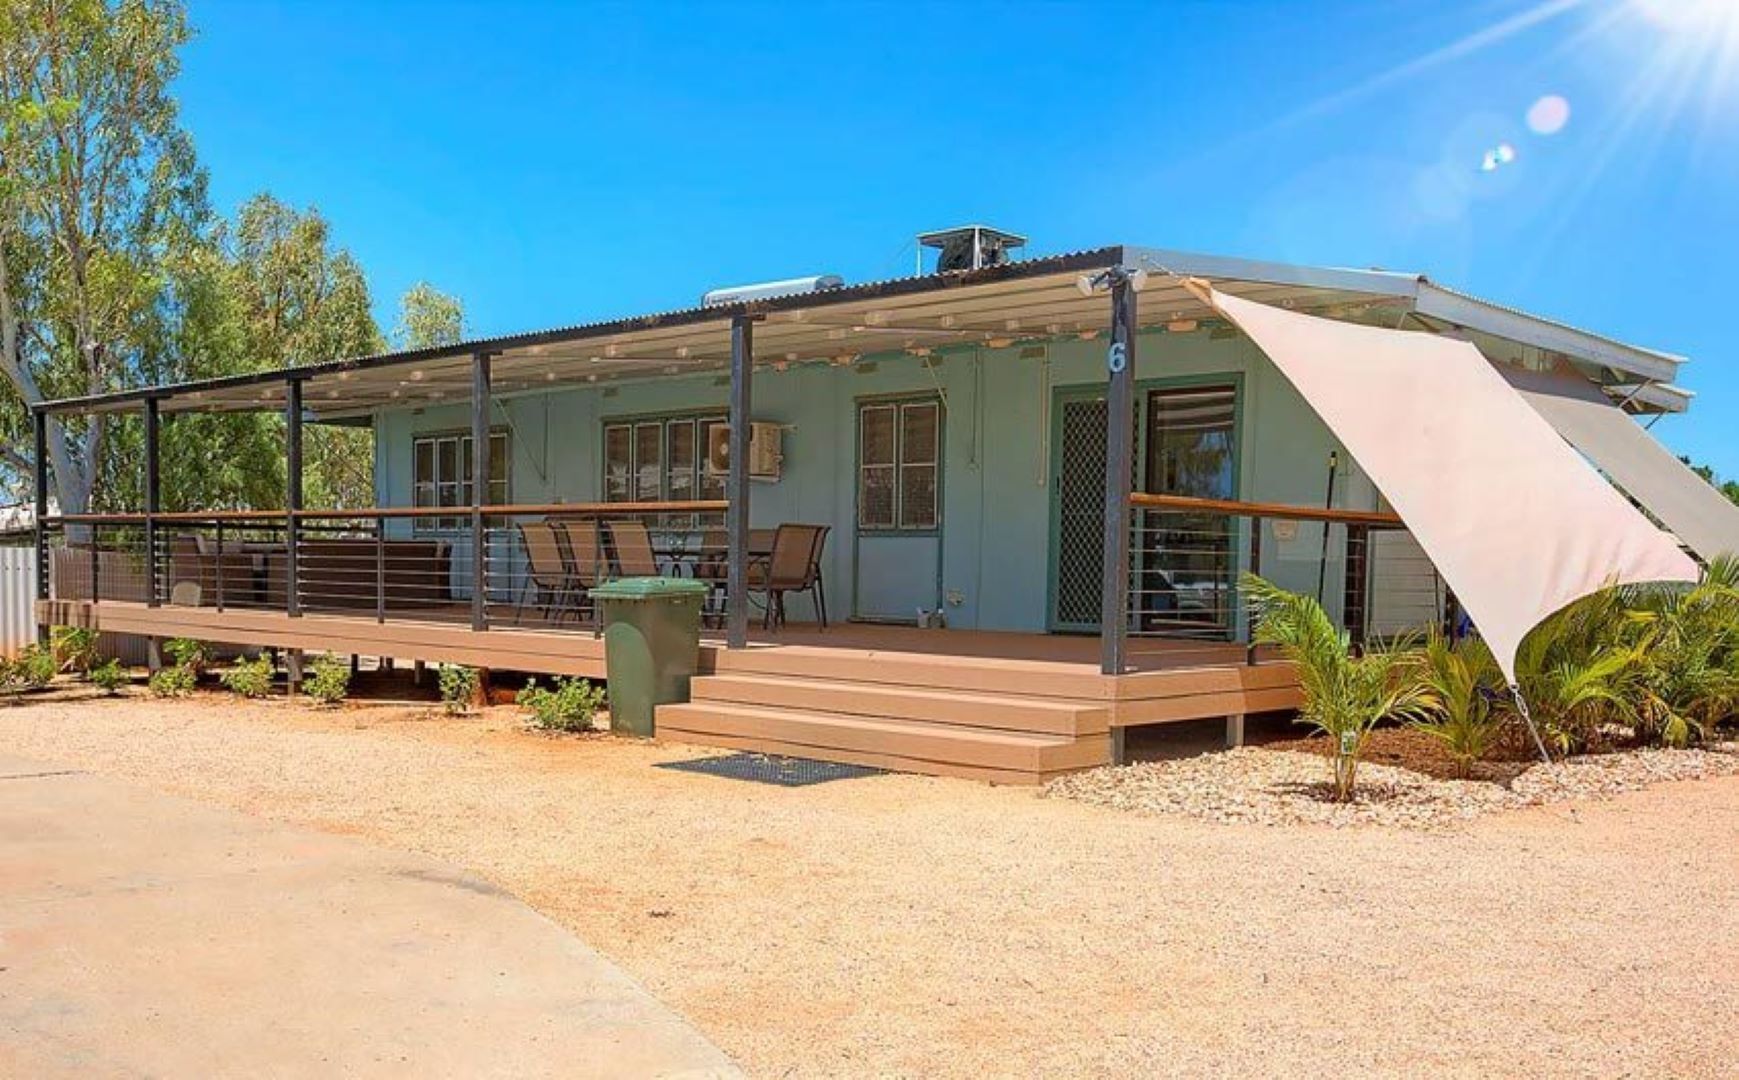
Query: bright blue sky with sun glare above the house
561 163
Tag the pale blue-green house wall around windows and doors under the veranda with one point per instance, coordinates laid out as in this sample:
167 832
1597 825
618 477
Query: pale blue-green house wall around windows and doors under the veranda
996 448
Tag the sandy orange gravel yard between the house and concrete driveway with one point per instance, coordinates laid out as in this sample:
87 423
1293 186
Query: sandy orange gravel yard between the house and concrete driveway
914 926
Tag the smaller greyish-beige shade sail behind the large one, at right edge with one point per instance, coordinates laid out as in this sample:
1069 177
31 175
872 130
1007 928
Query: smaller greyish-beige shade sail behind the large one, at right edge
1684 502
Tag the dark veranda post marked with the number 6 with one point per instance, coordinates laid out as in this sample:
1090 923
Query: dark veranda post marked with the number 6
1119 470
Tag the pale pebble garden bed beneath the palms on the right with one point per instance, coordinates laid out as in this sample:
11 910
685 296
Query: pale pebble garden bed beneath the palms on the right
1276 787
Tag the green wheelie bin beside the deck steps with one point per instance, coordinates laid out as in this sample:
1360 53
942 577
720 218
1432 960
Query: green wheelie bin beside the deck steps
651 646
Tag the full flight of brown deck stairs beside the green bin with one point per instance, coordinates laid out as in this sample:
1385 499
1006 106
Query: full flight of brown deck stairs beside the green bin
1006 738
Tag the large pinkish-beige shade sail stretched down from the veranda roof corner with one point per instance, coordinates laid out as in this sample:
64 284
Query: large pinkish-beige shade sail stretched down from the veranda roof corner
1510 516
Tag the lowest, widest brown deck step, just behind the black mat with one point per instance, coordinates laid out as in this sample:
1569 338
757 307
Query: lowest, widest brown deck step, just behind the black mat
888 743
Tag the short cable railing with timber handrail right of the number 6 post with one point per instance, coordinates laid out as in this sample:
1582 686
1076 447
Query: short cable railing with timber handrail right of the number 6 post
1187 557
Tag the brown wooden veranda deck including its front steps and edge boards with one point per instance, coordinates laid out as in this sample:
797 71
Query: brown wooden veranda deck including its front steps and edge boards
999 707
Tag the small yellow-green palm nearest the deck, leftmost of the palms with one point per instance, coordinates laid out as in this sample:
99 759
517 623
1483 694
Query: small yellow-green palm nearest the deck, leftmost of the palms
1345 697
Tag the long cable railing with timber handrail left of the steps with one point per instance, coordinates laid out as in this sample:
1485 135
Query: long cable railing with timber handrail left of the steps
526 566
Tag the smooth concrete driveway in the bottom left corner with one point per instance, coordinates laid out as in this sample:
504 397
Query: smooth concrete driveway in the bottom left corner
142 935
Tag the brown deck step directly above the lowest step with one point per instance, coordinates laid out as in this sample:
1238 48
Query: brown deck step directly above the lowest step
1001 712
